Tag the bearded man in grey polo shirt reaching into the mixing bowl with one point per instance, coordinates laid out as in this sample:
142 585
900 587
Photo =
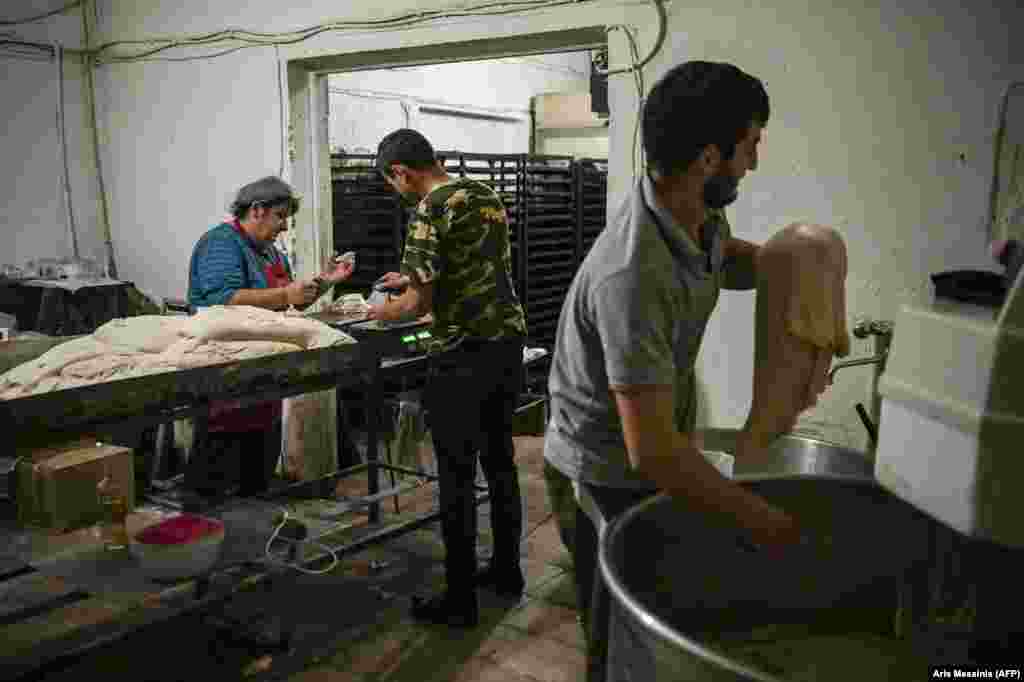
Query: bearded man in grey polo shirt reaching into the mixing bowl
622 385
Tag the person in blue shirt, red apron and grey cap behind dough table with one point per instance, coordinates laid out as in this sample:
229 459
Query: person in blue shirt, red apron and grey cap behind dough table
238 264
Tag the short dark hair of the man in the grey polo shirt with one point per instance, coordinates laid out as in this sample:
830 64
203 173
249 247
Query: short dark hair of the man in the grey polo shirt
696 105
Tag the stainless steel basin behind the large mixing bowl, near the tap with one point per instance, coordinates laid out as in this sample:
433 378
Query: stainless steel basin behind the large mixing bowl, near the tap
793 455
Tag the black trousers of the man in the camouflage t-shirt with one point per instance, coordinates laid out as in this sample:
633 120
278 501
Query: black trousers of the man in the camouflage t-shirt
471 397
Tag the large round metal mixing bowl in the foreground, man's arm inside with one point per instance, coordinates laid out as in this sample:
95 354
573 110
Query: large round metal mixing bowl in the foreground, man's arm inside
680 587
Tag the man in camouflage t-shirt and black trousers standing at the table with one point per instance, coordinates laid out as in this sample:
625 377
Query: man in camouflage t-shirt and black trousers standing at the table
458 267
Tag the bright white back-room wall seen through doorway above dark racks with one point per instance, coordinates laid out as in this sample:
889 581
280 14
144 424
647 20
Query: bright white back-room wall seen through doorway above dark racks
368 105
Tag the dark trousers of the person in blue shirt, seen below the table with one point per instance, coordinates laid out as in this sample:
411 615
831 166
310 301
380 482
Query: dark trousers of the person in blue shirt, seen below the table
223 460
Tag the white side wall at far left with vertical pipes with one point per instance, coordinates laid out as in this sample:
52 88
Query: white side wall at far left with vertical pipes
33 223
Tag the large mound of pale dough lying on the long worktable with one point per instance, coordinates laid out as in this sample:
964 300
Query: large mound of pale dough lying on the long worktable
151 345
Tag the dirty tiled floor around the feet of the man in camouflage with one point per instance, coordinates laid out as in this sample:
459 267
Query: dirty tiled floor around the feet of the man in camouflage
354 624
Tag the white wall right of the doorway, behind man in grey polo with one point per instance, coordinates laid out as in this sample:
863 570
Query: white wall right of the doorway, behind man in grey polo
872 108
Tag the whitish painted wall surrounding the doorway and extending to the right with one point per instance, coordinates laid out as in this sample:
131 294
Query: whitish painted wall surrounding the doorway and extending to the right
883 123
